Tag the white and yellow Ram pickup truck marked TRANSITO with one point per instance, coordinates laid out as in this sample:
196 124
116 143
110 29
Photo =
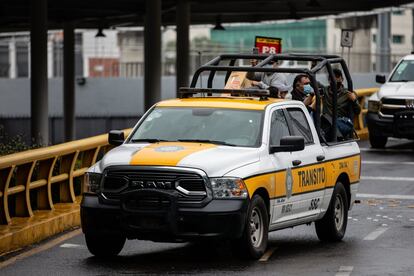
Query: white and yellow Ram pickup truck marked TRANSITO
219 167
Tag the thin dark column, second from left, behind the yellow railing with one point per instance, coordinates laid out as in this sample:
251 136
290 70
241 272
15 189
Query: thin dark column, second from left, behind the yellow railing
69 81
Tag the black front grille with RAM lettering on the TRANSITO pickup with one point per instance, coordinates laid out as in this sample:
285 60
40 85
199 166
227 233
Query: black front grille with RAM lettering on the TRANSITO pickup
190 185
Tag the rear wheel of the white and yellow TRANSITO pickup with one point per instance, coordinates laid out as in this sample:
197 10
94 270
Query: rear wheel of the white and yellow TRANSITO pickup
332 226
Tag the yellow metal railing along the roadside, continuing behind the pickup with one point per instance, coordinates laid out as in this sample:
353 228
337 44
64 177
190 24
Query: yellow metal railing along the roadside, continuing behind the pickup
37 179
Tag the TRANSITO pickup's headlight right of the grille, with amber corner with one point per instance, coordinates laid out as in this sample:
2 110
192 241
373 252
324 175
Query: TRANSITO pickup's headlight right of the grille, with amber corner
228 188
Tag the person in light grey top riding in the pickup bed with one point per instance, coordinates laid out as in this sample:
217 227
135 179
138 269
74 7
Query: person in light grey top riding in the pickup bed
264 80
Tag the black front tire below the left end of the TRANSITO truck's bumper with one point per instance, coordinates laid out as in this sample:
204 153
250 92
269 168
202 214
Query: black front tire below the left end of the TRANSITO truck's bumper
104 245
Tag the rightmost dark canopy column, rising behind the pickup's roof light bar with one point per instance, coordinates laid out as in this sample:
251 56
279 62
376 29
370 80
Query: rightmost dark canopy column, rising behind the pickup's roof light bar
183 44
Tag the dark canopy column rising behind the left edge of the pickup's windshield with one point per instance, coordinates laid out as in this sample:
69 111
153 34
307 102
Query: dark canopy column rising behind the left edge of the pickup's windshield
152 53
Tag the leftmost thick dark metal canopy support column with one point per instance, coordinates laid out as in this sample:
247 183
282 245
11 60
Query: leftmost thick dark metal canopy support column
38 69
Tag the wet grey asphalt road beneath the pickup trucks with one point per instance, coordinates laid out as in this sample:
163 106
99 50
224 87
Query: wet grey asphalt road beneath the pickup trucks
379 238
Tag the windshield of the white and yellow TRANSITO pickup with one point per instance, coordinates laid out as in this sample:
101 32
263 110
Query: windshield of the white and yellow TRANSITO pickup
219 126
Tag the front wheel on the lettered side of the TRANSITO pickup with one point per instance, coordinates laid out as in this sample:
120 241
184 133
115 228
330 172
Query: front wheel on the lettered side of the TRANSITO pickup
253 242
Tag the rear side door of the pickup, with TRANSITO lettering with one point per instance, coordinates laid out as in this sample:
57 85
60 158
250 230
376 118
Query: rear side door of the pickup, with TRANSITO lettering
308 168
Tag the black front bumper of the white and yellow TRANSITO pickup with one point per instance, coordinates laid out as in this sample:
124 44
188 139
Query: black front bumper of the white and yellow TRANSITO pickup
218 219
